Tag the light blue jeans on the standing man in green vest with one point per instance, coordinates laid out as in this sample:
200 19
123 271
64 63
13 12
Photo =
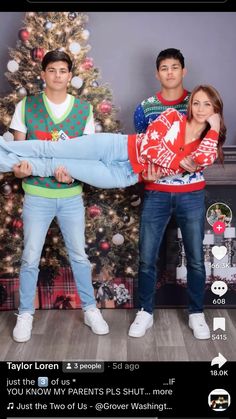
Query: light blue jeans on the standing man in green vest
38 213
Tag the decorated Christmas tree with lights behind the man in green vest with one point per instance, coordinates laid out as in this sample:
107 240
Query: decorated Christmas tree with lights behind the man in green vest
111 229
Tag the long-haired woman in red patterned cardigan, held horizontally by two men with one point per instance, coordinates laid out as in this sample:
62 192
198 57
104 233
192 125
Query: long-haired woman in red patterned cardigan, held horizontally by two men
173 142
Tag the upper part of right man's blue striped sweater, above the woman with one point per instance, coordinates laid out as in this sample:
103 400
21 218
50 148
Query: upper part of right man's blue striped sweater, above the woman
149 109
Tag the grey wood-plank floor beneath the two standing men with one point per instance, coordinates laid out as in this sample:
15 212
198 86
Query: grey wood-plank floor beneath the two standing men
60 335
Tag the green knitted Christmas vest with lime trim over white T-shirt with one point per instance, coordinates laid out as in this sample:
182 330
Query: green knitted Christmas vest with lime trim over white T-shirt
42 125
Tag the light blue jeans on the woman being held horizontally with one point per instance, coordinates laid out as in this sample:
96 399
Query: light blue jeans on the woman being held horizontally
101 160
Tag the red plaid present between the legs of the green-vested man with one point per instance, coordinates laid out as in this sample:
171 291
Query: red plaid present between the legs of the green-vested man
61 293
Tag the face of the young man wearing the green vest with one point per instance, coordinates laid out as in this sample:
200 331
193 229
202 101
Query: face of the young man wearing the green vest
56 76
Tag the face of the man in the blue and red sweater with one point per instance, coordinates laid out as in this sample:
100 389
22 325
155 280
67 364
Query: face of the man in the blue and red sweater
170 73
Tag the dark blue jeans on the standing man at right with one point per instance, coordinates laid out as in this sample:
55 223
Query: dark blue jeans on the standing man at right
189 210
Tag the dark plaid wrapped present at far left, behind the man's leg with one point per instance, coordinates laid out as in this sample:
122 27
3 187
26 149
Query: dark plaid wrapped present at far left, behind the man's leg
9 294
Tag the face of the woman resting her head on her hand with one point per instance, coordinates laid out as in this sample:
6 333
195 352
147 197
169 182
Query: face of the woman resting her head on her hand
202 107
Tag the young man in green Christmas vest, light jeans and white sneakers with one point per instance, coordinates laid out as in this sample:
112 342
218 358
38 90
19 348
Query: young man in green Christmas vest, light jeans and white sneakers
48 116
